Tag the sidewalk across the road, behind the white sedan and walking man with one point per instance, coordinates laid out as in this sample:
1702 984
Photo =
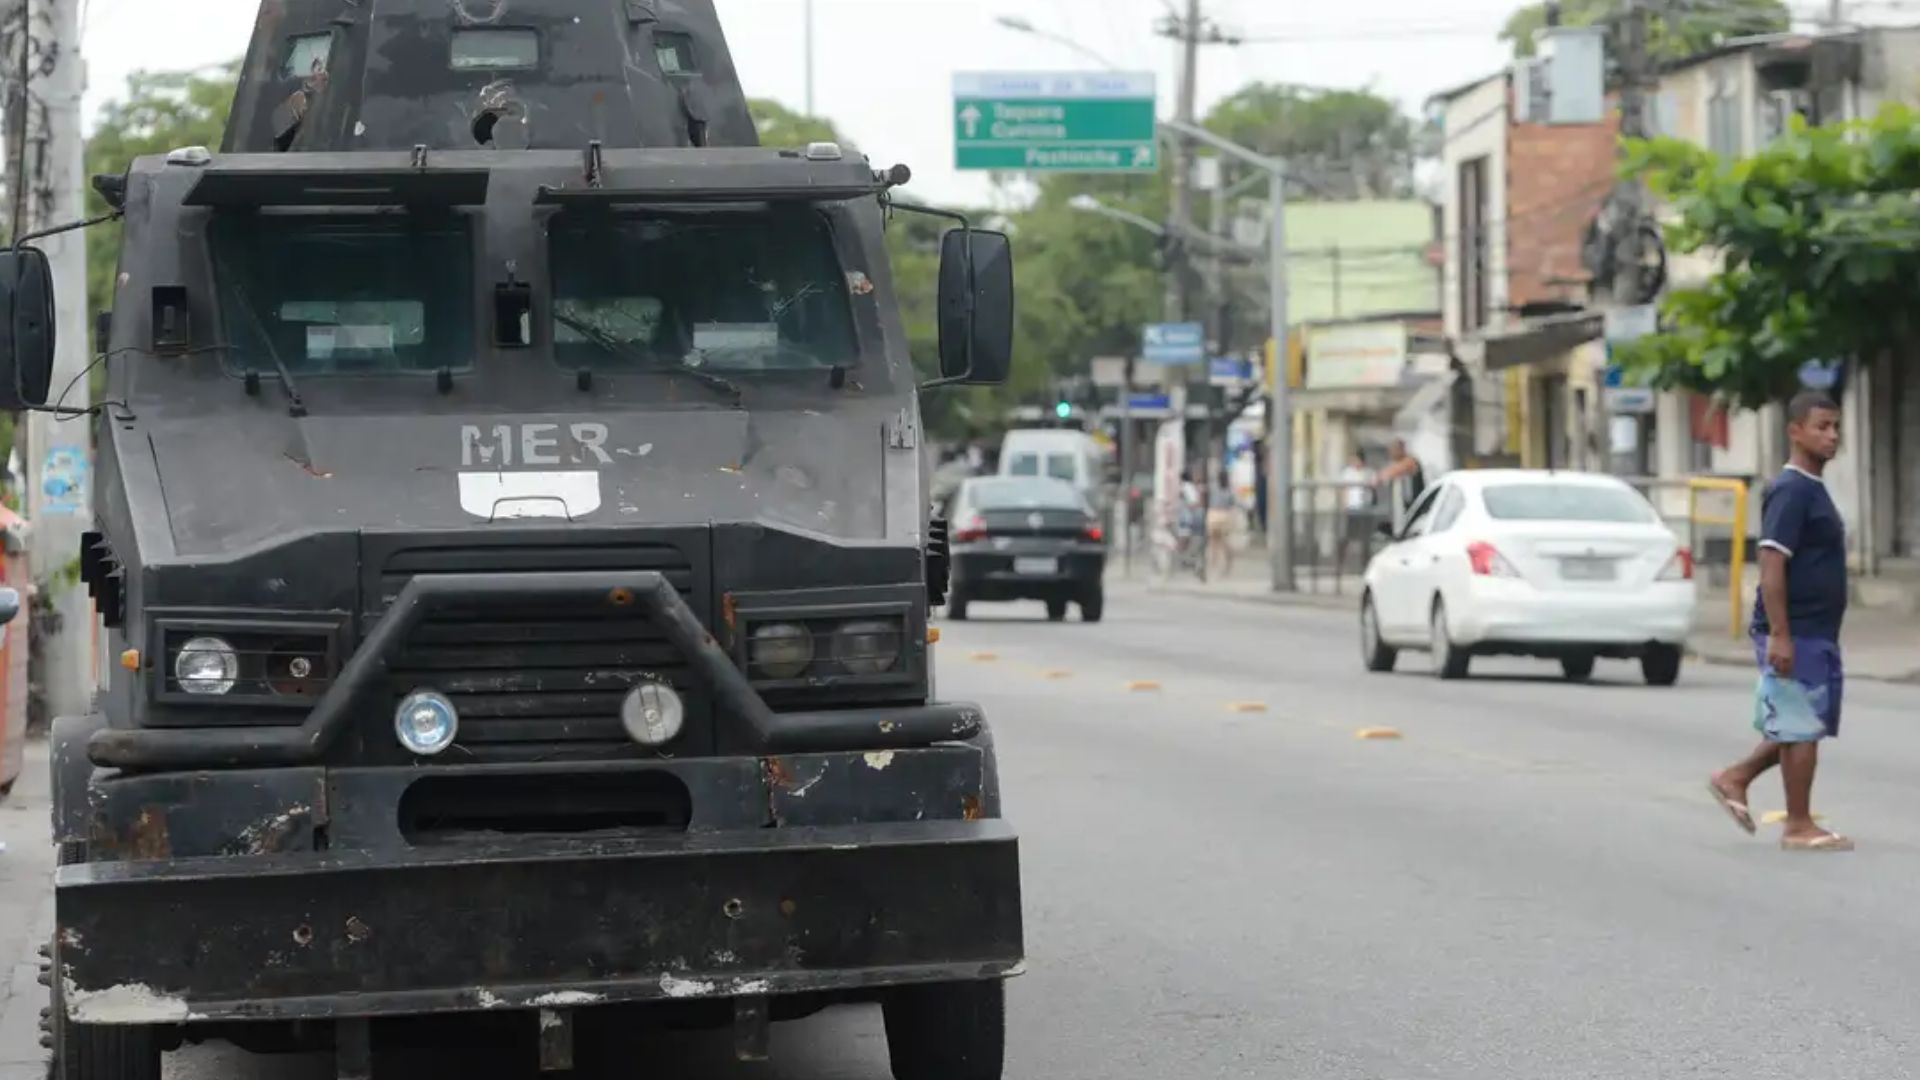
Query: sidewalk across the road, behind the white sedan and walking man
1879 645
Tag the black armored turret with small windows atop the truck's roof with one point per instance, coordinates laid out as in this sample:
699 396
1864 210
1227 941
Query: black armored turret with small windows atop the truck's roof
339 76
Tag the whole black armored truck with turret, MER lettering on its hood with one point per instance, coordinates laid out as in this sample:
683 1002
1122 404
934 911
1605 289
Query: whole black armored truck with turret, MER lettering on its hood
514 537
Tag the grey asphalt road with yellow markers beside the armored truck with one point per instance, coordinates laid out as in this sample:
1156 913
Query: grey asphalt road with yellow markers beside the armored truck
1224 881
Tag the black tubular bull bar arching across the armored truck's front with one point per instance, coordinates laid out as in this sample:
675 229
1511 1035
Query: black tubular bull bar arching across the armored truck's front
650 593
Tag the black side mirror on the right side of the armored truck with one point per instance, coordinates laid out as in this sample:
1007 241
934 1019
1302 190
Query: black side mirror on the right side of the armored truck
976 308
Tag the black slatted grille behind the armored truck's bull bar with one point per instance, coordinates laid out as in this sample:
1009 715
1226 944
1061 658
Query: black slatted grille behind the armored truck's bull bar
540 674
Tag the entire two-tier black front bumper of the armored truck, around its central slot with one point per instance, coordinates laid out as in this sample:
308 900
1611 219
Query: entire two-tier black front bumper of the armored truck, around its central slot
304 895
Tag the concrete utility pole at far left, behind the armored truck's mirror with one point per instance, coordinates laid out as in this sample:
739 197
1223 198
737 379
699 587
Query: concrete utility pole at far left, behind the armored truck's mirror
59 456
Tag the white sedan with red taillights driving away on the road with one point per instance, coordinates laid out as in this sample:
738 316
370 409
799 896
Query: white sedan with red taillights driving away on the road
1554 566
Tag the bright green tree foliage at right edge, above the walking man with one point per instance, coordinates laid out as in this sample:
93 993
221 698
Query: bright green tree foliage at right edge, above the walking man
1819 245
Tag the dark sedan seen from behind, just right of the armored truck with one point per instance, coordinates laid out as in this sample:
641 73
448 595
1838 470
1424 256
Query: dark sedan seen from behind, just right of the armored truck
1026 539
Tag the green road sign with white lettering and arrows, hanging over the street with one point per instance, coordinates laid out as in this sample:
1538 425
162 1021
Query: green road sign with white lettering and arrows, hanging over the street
1055 122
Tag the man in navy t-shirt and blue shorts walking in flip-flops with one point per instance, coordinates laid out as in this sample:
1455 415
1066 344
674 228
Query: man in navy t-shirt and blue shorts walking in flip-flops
1796 629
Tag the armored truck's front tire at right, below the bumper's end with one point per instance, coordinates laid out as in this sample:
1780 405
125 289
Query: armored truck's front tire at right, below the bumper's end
948 1031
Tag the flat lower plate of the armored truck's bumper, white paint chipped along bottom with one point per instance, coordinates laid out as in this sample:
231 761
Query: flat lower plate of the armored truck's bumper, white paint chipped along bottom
539 925
